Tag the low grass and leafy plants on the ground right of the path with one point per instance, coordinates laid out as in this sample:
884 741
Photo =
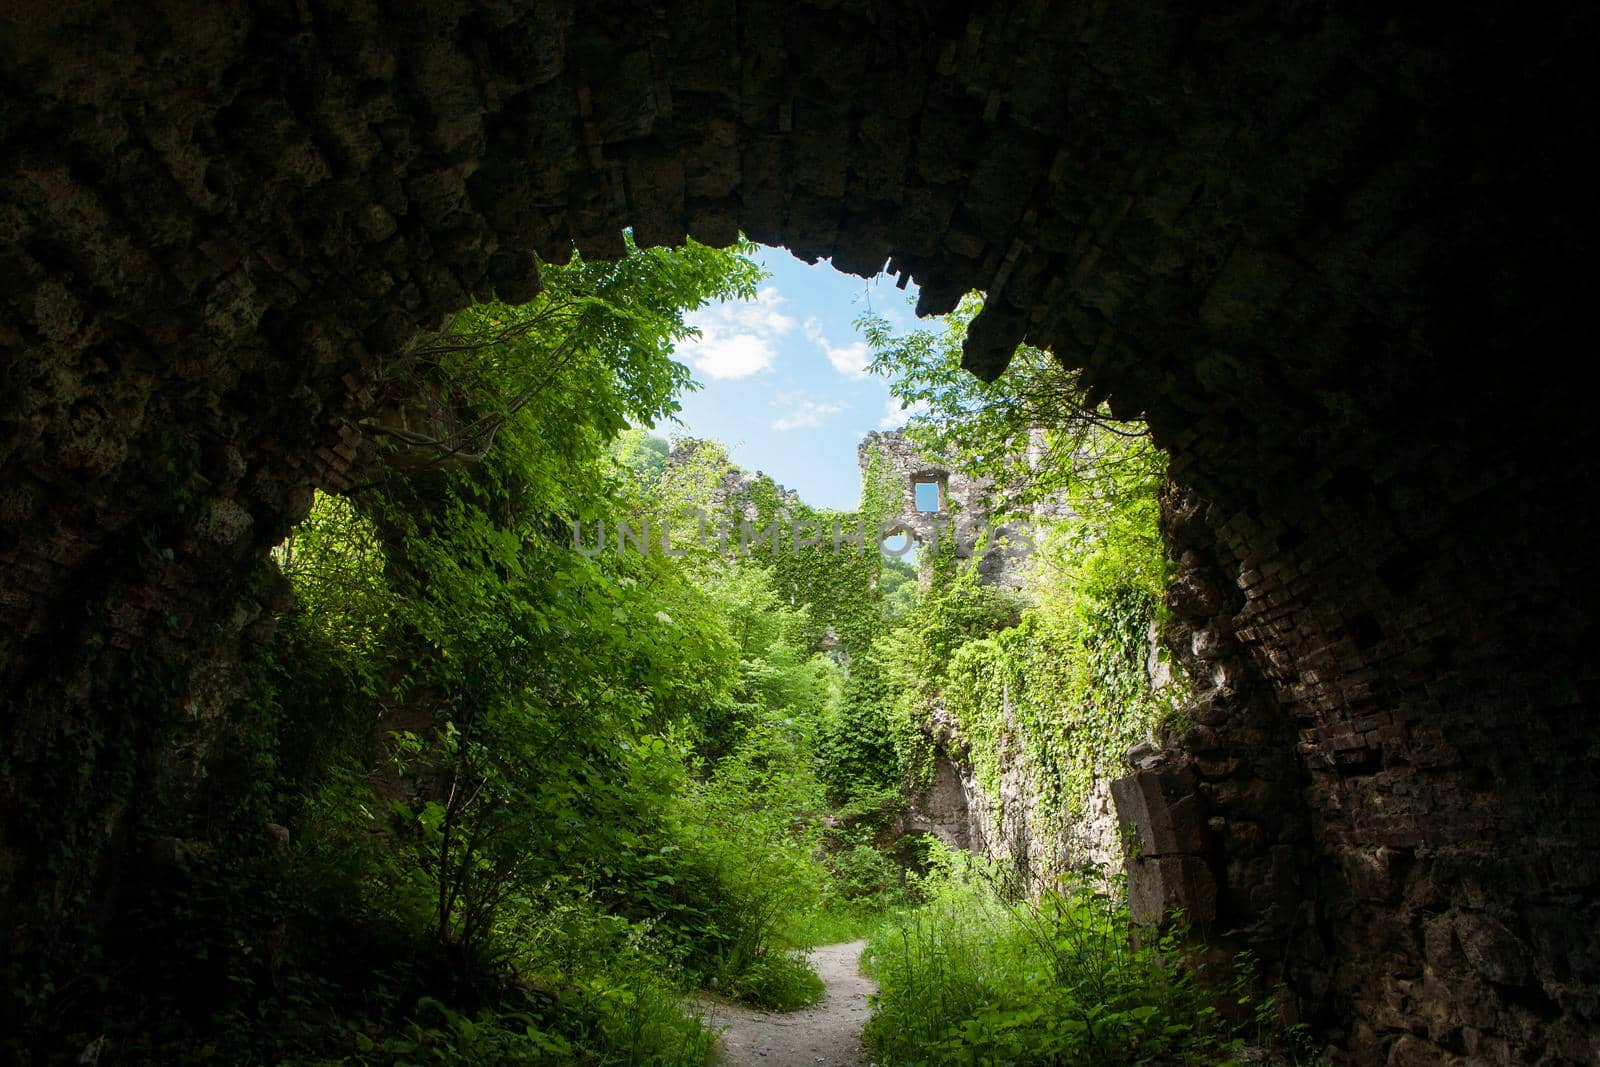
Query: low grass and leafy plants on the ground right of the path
972 978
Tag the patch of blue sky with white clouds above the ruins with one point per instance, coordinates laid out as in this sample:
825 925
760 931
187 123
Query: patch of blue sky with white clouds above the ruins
783 378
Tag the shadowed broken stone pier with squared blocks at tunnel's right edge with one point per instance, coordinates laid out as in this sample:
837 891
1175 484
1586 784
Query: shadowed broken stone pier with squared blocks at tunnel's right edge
1214 821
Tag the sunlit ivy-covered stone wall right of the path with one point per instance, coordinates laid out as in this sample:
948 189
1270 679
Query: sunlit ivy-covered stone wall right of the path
1034 700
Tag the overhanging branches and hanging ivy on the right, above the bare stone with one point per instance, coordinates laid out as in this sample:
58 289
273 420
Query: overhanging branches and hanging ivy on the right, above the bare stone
1057 684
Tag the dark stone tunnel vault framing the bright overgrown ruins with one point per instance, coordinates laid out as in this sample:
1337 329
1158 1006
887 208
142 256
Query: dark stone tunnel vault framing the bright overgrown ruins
1334 257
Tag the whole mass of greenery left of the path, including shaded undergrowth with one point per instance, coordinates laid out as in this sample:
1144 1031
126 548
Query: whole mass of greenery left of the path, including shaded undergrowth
479 740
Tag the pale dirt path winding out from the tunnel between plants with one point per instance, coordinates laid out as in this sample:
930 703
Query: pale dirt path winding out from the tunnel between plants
826 1036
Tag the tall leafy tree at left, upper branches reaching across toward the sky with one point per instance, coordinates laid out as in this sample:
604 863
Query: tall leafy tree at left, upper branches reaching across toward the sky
526 663
